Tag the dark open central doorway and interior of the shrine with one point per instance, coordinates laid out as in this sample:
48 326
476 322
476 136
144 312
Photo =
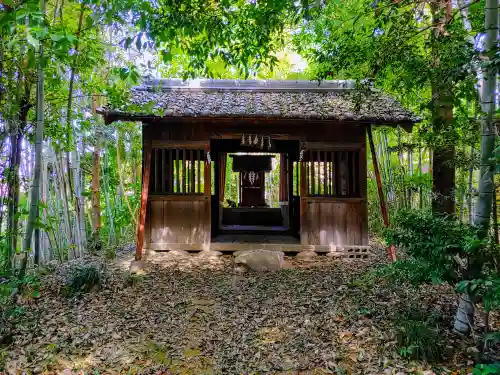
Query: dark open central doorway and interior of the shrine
252 215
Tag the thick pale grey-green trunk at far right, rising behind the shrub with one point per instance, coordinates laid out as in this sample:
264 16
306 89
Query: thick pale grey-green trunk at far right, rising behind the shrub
486 182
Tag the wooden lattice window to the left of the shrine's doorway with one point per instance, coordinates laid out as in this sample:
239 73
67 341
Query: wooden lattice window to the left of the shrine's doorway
177 171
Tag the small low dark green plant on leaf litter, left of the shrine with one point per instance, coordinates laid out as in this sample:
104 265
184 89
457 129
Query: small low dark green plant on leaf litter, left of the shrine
83 279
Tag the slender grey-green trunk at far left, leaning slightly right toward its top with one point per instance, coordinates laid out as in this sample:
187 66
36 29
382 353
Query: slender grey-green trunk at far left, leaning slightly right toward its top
35 187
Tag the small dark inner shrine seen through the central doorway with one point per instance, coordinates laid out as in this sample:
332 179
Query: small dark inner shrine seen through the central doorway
252 170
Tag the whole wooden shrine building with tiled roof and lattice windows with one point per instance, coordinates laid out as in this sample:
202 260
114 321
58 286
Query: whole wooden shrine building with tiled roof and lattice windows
316 134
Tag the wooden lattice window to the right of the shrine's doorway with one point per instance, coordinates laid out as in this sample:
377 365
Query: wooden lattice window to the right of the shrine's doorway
329 173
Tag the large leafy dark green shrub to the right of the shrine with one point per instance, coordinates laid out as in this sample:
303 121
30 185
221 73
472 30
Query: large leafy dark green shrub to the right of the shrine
438 249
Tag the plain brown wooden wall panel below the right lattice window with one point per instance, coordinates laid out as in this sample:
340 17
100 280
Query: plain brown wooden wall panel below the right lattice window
334 222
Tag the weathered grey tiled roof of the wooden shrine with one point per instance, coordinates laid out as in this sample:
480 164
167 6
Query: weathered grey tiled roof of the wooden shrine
331 100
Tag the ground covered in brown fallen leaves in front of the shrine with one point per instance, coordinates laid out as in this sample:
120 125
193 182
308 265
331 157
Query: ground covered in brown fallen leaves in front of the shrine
195 316
